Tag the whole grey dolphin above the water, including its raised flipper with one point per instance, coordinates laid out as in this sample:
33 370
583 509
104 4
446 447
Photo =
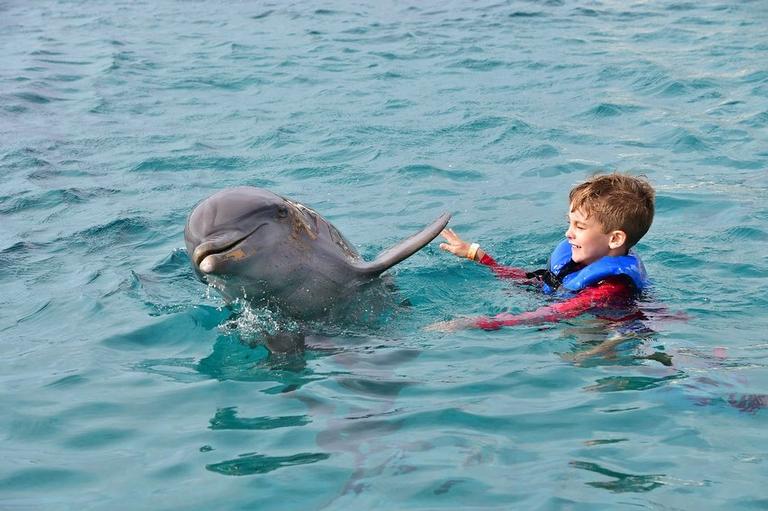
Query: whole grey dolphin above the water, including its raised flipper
251 243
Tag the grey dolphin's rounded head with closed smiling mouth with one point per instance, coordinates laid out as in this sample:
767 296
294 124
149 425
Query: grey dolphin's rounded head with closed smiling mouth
240 233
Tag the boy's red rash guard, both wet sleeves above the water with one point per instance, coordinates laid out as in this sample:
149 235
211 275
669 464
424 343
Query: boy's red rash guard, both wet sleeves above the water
611 292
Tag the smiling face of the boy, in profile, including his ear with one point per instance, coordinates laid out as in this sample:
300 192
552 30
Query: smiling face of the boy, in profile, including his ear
588 241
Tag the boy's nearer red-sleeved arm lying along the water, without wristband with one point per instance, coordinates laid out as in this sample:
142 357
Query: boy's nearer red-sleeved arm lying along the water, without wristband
611 291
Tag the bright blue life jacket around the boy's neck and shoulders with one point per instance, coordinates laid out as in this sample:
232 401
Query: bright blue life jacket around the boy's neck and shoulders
561 271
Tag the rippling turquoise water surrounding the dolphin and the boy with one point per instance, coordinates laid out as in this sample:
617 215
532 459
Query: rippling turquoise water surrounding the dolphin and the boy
127 385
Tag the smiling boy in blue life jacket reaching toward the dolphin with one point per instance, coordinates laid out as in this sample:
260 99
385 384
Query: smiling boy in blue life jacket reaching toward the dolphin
593 267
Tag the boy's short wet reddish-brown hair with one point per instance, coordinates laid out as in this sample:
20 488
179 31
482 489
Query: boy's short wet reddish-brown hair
618 202
